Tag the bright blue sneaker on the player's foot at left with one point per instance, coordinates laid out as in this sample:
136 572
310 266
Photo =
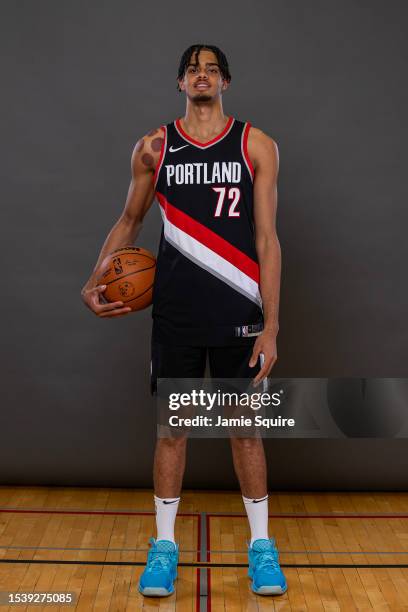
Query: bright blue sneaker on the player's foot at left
161 569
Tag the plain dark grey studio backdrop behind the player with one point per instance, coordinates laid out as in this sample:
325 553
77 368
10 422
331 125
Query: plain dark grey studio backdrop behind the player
81 83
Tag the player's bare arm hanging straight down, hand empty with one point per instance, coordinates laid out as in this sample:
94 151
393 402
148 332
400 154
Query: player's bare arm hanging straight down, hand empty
264 155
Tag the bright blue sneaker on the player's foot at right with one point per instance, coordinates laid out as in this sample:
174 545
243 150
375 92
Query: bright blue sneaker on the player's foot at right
264 569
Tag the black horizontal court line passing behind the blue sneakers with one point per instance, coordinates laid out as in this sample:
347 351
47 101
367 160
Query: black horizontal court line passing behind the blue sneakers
210 565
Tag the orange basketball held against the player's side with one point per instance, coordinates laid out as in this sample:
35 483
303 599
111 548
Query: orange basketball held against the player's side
128 274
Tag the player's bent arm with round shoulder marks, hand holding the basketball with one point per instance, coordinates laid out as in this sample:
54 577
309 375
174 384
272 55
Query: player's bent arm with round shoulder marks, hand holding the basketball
140 196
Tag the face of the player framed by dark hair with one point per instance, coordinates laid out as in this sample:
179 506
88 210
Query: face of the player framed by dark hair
203 81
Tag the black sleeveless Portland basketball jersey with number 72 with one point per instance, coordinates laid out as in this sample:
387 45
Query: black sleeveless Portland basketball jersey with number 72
206 289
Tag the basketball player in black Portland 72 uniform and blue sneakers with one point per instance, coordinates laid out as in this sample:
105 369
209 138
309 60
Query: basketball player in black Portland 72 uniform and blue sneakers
216 288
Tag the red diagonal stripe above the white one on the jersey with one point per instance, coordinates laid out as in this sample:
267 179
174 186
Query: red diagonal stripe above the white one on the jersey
209 239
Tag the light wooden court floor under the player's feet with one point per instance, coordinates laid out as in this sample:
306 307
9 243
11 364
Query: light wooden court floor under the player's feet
339 551
